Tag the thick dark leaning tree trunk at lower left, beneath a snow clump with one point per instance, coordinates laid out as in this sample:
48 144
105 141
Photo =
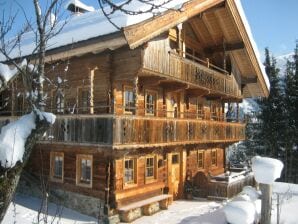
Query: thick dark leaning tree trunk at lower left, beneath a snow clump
9 178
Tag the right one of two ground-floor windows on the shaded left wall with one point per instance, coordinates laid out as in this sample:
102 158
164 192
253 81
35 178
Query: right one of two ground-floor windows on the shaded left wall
84 170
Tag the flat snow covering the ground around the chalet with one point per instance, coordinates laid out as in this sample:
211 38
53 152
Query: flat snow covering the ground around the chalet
180 212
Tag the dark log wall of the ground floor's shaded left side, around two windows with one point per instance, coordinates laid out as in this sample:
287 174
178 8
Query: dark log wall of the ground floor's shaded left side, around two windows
40 162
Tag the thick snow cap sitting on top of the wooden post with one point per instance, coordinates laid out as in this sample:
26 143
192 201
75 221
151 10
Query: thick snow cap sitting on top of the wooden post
266 170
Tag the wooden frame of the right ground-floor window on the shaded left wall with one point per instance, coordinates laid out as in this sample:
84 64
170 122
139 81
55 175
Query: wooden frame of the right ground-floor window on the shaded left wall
79 159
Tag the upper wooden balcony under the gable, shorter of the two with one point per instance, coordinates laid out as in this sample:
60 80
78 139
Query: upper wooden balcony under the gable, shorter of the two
194 72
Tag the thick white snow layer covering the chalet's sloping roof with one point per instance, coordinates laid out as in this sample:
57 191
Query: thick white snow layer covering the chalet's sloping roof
90 25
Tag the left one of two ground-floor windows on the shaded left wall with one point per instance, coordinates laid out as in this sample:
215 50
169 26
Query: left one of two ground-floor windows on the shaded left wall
57 159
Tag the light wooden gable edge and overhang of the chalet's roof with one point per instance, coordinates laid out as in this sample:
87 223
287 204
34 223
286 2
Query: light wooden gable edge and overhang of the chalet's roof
245 52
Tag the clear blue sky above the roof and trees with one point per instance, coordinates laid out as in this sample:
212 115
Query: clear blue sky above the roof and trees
274 23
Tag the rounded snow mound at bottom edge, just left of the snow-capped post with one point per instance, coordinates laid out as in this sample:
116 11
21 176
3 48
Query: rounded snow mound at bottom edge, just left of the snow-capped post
240 212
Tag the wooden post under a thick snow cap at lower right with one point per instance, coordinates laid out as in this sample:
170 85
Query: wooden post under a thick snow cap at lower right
266 190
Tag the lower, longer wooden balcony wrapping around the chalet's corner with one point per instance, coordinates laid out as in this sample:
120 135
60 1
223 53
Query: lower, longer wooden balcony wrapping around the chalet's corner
133 131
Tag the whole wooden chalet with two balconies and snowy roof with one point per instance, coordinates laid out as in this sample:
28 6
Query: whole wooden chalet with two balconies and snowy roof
141 116
